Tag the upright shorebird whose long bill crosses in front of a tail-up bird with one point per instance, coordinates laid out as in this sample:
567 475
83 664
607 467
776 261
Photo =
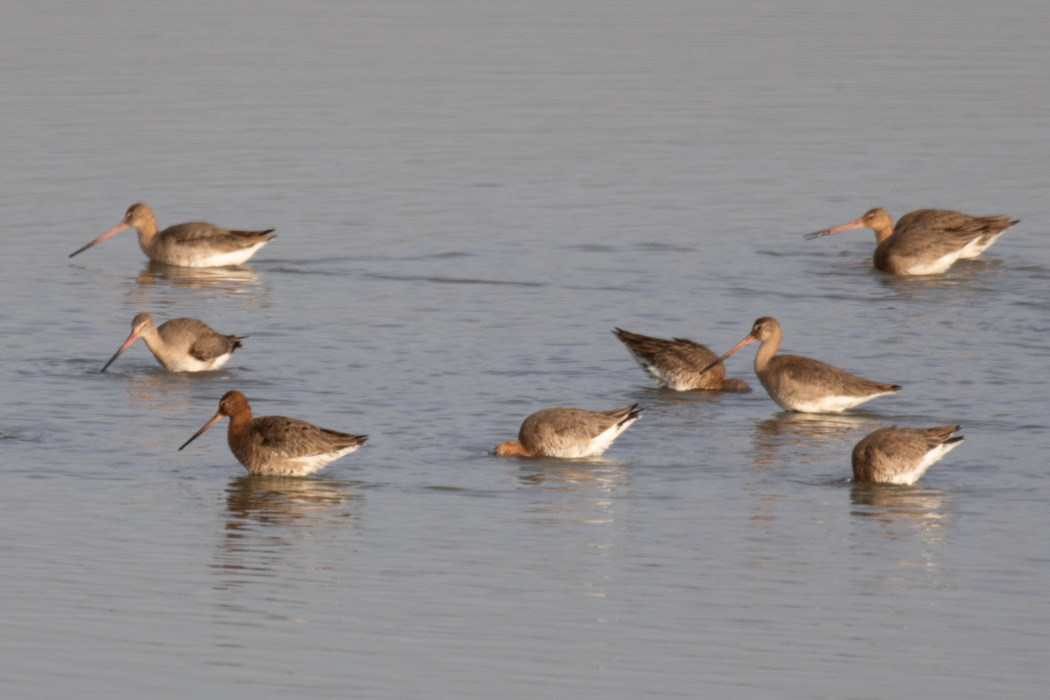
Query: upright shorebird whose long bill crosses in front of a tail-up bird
801 384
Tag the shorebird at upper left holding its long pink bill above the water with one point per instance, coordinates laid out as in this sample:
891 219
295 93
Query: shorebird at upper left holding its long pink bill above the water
194 245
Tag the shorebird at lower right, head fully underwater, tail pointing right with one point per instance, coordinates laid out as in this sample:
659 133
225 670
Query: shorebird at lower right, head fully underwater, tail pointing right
901 456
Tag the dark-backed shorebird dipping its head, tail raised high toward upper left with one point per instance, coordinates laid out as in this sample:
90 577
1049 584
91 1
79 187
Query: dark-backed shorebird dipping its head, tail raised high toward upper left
677 364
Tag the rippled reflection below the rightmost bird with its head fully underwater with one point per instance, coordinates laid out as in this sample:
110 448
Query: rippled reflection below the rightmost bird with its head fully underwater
902 511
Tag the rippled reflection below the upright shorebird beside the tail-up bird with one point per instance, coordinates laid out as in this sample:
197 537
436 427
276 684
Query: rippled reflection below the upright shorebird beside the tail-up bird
807 438
